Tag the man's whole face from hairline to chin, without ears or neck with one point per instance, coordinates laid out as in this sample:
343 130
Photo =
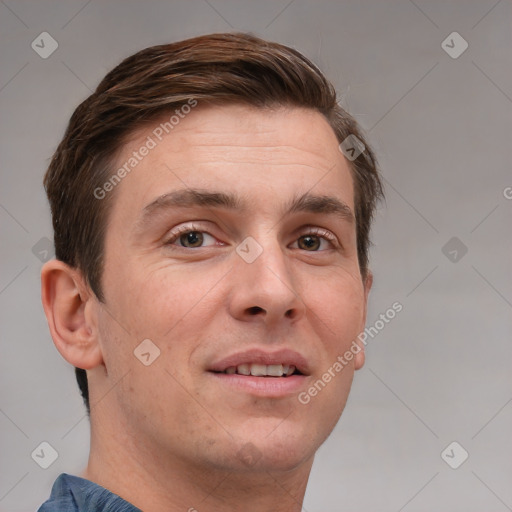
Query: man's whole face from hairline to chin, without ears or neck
232 247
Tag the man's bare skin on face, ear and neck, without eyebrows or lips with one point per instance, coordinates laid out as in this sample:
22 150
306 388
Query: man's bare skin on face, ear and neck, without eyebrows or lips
169 436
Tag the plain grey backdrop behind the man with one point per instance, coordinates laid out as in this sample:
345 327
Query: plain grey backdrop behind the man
440 371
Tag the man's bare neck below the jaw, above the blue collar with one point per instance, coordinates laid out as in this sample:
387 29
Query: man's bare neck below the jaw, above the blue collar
154 482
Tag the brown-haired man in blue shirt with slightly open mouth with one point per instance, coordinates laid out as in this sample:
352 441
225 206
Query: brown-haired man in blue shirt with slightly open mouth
212 270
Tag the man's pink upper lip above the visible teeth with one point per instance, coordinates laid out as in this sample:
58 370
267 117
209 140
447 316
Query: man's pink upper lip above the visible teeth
260 356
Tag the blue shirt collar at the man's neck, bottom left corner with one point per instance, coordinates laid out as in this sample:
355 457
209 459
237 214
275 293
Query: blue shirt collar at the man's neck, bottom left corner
75 494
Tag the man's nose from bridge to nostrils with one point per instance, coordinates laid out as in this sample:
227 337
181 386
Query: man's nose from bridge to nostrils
264 290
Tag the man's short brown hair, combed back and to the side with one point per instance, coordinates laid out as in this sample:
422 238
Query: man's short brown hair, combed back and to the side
211 69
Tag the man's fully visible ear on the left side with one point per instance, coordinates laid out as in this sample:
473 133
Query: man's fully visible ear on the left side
69 305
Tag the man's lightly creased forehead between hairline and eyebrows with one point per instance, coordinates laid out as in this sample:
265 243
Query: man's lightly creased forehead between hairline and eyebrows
254 152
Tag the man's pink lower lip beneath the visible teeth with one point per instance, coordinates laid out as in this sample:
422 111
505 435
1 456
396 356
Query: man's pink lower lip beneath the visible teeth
273 387
